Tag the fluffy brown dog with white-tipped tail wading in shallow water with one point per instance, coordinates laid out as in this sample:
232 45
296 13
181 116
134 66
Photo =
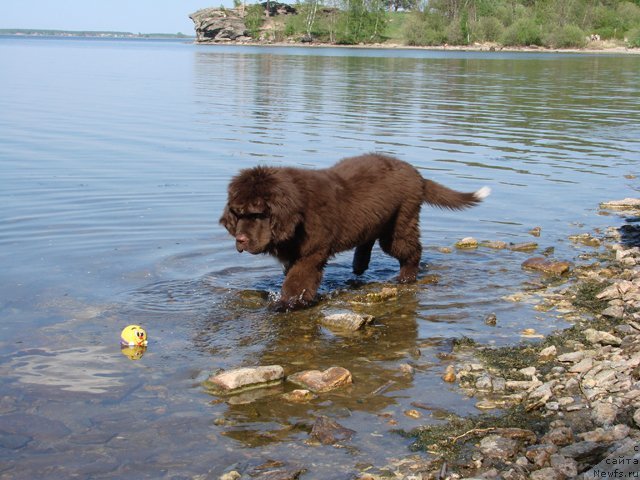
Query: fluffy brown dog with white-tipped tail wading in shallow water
303 217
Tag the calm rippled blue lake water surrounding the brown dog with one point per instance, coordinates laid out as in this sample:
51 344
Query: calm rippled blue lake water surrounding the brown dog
114 160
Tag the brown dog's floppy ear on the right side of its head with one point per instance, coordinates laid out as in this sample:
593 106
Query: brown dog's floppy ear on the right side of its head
285 209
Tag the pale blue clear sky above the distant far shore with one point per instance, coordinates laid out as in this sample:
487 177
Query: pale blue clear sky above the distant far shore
135 16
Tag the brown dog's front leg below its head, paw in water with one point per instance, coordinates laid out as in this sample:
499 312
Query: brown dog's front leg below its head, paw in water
301 282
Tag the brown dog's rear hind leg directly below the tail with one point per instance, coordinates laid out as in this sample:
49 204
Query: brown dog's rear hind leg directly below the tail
402 241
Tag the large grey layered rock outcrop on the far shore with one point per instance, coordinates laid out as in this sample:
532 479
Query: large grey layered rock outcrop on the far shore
217 25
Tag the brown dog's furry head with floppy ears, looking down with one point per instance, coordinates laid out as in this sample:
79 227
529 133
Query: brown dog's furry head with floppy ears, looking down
264 207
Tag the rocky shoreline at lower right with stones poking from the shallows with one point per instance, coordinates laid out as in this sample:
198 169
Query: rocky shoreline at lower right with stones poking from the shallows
565 407
